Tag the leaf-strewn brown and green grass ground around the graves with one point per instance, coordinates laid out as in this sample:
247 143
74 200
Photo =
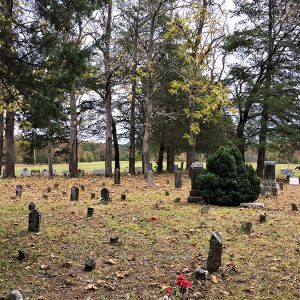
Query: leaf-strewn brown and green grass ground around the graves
159 238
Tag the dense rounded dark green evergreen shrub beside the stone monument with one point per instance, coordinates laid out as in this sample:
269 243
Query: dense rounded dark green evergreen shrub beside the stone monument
227 180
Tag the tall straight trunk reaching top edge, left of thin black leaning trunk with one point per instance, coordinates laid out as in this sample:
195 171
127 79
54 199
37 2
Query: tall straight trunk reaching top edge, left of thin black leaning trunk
108 72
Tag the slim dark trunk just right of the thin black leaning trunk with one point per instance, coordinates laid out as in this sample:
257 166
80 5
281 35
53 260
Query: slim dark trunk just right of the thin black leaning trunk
132 128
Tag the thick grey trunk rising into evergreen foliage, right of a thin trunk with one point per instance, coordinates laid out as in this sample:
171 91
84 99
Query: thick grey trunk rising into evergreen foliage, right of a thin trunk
73 142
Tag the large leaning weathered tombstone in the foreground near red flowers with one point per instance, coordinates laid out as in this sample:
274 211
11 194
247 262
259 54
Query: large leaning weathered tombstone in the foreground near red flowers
214 258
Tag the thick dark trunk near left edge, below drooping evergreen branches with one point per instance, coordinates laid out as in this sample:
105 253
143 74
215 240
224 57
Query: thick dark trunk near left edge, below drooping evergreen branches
10 145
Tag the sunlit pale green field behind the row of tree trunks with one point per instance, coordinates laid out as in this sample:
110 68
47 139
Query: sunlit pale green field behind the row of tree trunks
100 165
